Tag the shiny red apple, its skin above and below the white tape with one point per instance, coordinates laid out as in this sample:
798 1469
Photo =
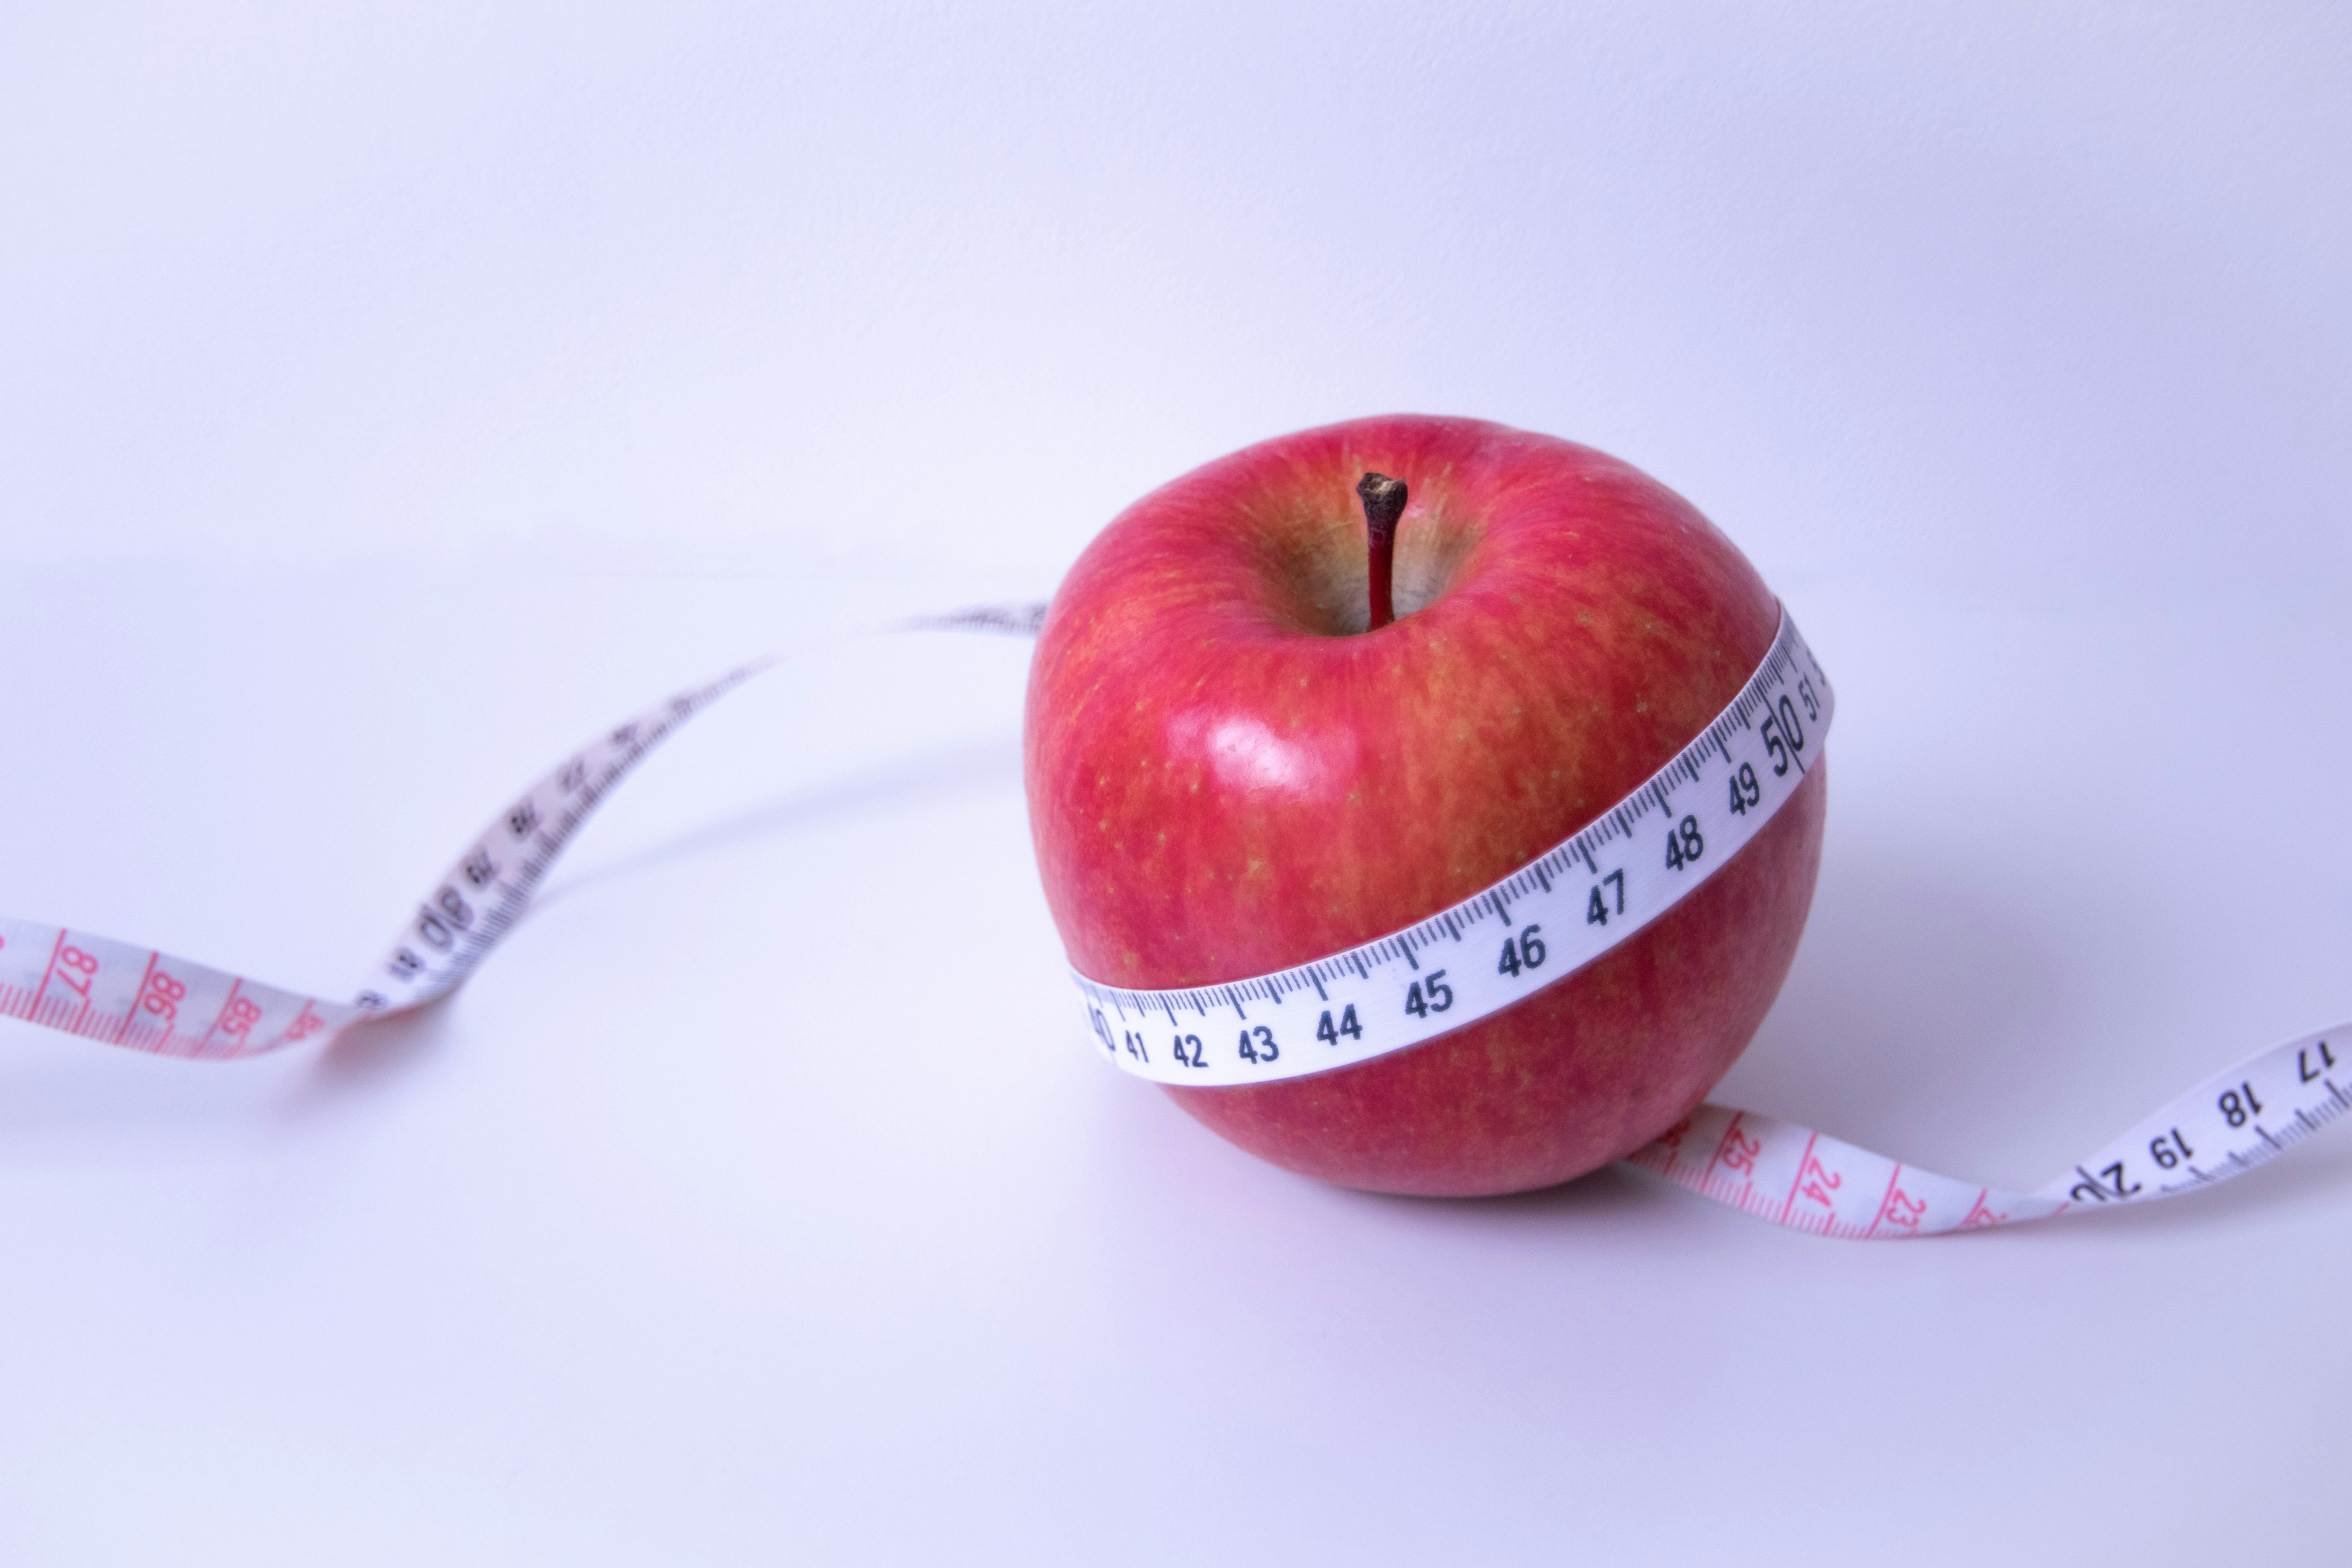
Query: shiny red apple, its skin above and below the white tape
1234 772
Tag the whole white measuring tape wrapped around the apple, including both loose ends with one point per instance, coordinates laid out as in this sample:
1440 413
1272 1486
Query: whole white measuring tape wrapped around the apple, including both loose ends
1546 920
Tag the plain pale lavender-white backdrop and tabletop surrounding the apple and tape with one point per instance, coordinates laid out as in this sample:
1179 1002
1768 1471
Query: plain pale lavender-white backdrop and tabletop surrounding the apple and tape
389 398
